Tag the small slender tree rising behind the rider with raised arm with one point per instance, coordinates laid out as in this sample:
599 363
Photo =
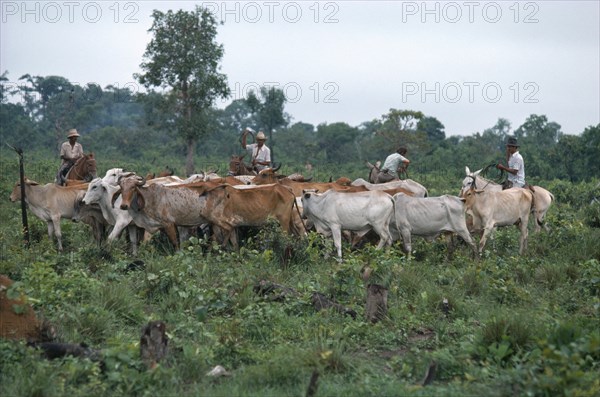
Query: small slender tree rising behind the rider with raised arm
269 112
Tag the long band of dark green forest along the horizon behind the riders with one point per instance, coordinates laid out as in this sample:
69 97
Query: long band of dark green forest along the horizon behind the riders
118 123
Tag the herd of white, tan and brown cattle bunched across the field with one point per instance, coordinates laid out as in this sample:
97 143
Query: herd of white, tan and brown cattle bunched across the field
218 206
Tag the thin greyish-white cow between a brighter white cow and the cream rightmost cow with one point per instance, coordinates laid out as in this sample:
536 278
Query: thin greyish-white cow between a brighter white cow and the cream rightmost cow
429 217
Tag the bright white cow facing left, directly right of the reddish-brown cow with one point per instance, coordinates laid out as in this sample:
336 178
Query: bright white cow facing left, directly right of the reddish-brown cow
332 211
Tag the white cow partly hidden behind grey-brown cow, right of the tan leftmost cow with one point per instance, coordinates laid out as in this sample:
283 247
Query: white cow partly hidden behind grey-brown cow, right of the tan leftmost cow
101 193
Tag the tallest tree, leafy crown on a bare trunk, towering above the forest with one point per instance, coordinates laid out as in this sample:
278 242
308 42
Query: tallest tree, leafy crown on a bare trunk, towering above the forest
184 57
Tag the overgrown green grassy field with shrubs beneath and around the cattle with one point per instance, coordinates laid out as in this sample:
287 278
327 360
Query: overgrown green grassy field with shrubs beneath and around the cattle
513 325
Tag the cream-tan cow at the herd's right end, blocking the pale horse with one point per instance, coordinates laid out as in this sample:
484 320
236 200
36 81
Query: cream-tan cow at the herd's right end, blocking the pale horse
504 208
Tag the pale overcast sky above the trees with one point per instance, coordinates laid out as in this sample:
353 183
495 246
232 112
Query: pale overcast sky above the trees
466 63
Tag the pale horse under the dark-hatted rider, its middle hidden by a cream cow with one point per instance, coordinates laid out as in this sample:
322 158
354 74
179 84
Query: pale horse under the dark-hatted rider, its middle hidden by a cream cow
542 198
